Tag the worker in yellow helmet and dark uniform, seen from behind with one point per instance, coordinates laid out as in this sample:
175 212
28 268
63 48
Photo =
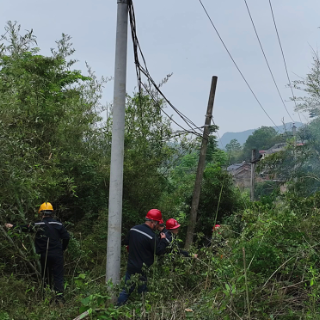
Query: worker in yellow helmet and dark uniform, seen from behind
51 239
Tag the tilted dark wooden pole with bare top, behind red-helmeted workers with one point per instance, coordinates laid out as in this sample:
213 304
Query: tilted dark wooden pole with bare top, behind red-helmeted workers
201 165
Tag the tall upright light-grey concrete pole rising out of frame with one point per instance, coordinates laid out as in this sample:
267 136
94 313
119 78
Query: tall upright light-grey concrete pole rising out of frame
117 148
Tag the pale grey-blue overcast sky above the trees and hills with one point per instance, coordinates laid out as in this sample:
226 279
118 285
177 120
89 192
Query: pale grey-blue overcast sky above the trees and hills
177 37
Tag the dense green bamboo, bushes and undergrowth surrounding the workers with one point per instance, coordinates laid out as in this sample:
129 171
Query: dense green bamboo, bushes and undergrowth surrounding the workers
263 264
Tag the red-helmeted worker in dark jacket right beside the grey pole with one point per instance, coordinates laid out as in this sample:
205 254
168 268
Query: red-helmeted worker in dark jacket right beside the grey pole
143 244
